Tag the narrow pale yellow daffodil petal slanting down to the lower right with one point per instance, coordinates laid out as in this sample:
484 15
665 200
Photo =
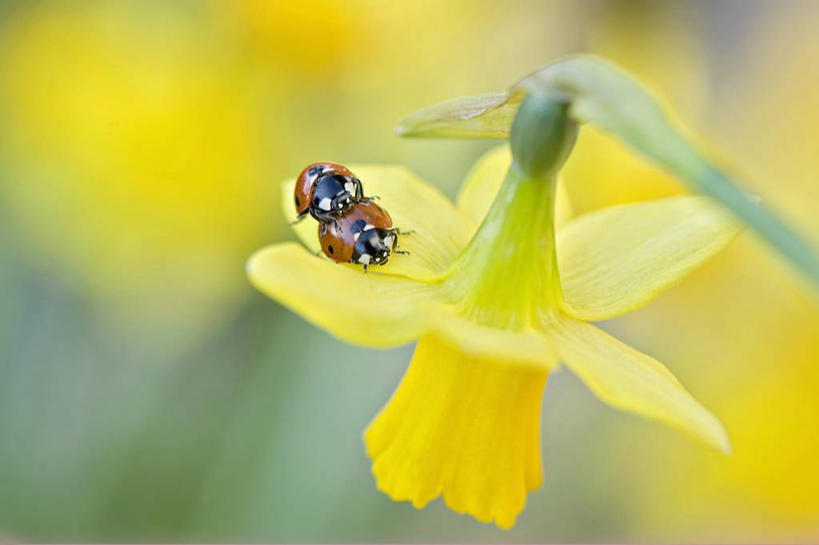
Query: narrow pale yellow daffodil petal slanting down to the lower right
630 380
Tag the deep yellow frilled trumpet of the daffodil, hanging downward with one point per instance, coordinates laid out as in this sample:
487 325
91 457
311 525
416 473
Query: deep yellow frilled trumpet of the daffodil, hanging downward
462 426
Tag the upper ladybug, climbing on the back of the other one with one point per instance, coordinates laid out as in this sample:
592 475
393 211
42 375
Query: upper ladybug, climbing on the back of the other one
326 191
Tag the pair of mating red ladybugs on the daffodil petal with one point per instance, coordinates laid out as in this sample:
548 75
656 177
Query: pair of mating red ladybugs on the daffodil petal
352 228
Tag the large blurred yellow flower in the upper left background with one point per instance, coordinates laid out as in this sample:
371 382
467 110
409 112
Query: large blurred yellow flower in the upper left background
131 141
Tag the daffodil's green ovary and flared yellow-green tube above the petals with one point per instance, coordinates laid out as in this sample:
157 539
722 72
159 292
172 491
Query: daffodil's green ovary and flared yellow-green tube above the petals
508 272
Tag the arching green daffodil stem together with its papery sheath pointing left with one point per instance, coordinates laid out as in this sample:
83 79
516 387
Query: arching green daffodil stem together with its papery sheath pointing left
601 93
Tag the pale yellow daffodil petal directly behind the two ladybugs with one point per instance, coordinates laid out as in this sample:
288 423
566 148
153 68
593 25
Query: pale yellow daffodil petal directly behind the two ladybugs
440 230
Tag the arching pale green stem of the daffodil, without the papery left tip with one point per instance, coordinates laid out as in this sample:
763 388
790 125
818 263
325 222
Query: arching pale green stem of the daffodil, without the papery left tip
605 95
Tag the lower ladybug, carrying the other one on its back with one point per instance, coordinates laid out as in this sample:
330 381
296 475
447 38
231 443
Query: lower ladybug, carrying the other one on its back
364 235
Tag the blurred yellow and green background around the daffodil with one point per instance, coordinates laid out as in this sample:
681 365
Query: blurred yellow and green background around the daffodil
148 393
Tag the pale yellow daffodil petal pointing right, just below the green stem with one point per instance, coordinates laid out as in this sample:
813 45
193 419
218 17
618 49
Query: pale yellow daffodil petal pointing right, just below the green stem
620 258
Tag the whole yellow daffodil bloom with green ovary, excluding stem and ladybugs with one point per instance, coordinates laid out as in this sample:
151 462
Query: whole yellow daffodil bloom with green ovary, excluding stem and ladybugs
497 299
